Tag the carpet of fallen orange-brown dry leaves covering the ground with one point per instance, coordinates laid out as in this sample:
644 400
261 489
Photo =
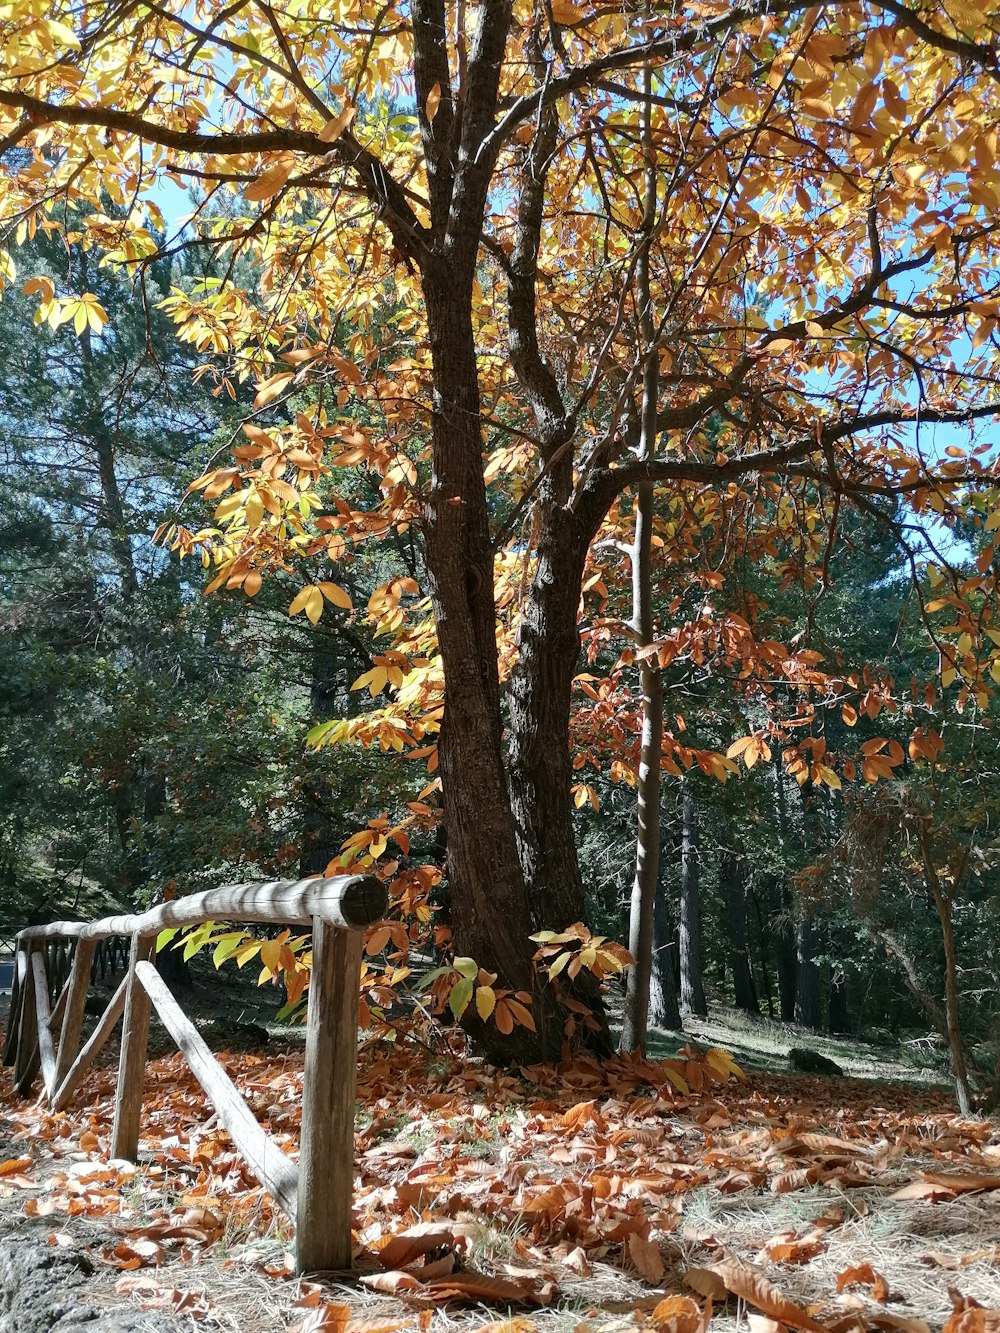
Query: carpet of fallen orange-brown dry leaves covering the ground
471 1191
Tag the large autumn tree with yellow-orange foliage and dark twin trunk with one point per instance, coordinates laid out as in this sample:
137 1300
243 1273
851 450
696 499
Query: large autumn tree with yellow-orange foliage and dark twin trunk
825 249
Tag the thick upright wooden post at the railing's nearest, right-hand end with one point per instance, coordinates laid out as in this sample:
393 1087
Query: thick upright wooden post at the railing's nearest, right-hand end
327 1158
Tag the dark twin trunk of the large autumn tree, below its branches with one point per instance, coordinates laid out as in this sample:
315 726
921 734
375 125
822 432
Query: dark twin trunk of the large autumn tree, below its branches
513 864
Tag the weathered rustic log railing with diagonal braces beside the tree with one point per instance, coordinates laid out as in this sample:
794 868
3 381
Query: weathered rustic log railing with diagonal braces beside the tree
45 1035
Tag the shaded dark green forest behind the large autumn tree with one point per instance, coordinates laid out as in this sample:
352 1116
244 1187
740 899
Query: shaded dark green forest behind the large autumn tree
161 740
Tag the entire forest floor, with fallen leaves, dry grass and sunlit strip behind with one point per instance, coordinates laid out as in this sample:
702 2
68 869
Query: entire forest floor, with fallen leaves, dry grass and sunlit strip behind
559 1202
